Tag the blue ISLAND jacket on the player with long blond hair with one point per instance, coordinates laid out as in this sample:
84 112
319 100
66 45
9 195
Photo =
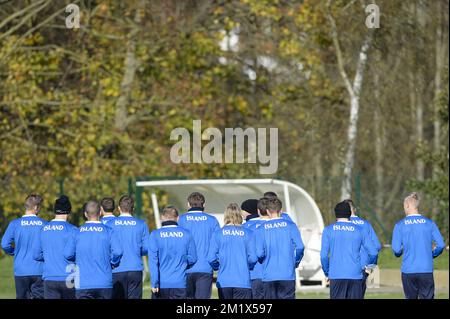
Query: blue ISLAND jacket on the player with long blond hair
232 252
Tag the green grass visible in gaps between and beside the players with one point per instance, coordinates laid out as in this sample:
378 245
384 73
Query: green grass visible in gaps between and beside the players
386 260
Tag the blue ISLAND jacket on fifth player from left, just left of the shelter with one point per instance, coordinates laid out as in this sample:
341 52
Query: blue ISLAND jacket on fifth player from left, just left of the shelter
133 236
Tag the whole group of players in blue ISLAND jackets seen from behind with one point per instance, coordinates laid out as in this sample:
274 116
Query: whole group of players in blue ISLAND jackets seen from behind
255 253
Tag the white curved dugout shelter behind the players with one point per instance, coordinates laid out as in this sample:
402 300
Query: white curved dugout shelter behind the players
220 192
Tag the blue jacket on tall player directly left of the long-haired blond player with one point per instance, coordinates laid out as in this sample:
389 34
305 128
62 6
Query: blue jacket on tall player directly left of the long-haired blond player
201 226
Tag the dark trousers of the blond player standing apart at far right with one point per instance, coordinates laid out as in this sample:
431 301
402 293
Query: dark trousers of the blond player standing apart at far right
418 286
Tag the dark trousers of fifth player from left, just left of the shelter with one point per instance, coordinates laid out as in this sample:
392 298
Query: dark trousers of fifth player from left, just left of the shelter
127 285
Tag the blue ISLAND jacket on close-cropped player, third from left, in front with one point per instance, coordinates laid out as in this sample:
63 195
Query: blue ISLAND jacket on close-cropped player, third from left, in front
95 250
